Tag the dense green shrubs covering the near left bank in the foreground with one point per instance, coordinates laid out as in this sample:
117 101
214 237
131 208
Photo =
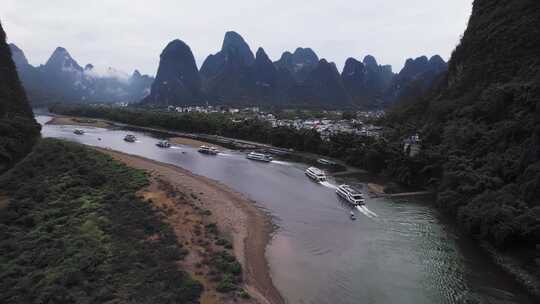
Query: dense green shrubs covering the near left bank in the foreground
75 232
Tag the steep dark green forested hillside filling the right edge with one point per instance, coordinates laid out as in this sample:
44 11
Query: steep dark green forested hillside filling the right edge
481 125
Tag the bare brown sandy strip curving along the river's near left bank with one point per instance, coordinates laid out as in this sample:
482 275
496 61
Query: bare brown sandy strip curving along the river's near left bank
236 216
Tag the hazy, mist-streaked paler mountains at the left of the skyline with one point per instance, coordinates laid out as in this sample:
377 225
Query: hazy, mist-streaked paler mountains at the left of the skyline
62 79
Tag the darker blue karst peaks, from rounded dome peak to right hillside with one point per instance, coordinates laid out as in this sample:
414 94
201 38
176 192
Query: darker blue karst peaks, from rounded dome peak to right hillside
234 75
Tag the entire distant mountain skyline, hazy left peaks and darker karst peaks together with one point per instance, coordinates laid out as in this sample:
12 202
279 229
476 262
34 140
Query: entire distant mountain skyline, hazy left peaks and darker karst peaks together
233 76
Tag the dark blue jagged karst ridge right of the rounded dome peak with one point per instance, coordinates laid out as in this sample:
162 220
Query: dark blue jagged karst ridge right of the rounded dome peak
233 75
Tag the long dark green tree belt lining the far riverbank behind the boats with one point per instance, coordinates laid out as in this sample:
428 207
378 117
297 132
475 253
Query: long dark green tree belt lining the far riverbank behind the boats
374 154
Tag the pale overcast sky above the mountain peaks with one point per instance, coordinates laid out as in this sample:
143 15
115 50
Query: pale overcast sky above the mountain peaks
129 34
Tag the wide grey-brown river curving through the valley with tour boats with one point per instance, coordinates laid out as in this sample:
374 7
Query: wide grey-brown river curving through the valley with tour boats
397 251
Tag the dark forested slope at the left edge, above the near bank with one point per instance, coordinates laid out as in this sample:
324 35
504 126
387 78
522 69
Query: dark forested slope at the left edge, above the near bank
18 129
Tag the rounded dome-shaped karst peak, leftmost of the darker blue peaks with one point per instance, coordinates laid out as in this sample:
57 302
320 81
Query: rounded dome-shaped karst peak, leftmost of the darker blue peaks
177 80
